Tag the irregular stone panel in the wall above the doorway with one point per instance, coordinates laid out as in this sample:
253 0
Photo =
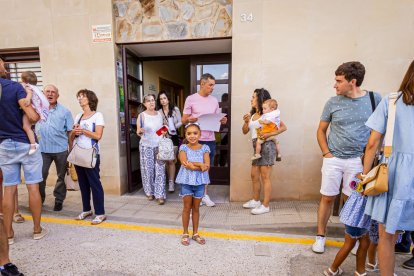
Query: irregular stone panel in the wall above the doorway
157 20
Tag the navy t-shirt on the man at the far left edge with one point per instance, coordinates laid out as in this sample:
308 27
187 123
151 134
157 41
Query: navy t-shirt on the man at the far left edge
11 115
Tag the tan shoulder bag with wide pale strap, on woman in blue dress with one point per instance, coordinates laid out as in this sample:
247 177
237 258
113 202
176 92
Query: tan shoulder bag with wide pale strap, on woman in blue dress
376 181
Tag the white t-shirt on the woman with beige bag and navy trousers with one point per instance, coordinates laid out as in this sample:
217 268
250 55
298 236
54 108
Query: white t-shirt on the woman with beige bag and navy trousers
89 124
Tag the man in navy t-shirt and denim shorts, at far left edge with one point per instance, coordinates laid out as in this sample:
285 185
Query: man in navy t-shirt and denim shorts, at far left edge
14 154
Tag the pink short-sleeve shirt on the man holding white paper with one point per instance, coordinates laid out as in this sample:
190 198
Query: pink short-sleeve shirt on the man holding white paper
197 105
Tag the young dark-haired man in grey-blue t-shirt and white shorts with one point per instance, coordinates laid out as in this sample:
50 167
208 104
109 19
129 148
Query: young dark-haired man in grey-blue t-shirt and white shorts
345 115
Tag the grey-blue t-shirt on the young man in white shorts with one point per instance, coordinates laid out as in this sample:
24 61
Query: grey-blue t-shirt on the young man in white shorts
347 116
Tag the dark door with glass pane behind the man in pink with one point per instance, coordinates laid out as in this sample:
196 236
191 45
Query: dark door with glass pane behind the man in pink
220 67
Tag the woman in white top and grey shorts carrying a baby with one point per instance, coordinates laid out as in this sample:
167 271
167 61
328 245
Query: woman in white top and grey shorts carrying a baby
262 167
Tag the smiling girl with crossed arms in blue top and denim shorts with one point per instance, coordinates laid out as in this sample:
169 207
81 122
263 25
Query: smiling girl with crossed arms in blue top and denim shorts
193 176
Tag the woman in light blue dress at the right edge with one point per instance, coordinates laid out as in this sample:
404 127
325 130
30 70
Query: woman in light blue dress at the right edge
394 209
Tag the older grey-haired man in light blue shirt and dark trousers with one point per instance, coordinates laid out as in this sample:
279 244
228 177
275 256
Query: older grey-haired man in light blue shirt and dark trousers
53 139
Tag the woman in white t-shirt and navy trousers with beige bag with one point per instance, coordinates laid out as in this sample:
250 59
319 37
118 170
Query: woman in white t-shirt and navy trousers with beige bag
87 132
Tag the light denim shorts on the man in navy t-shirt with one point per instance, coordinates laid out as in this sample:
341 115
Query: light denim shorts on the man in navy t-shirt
13 157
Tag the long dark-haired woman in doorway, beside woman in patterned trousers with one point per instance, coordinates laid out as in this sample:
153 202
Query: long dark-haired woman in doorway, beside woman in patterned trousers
172 118
